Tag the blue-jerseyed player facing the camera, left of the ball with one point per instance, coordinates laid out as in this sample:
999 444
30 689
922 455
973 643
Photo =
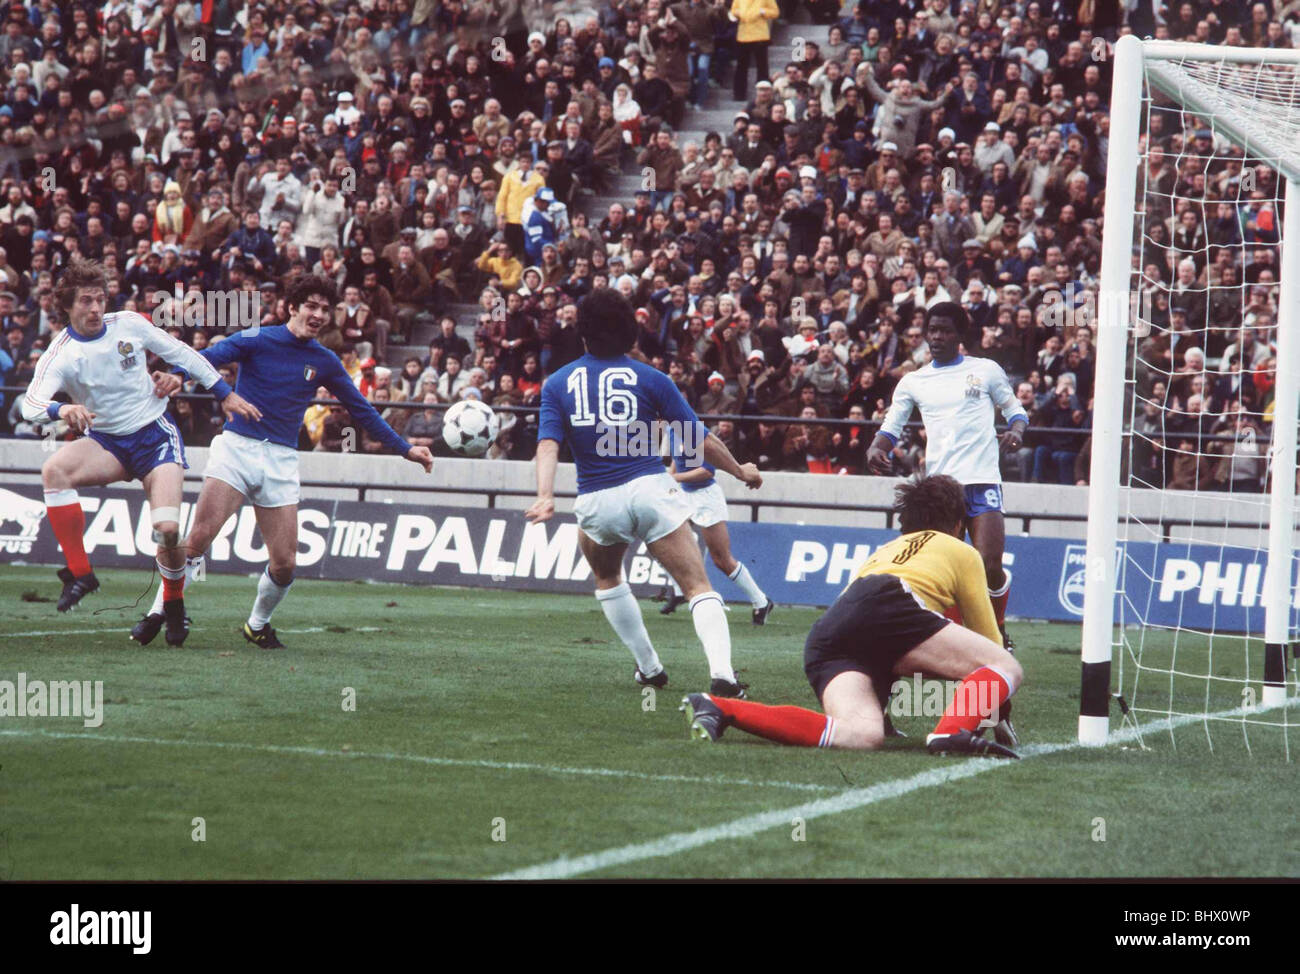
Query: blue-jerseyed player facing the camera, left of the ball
280 370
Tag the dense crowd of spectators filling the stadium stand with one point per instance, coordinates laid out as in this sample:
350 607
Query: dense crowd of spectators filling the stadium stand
427 155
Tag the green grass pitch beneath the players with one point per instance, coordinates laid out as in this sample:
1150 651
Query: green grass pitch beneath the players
486 716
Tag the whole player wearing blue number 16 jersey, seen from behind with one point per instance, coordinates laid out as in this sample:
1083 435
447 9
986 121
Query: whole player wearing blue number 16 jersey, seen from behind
612 412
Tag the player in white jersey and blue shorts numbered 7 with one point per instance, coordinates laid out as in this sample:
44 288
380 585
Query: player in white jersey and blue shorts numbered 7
99 362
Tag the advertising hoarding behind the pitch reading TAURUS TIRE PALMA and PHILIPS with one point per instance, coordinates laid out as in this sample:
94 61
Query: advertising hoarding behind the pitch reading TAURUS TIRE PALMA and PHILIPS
1164 585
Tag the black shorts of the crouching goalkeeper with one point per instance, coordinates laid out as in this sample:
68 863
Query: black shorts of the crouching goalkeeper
873 625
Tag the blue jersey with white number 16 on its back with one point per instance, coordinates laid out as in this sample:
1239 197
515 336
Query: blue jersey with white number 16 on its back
610 414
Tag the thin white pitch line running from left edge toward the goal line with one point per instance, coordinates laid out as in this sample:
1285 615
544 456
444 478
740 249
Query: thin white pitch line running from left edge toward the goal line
424 760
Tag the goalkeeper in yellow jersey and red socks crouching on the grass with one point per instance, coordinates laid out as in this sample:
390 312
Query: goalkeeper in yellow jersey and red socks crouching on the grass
890 624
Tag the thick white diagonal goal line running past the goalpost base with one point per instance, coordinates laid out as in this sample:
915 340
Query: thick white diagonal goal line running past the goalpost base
566 868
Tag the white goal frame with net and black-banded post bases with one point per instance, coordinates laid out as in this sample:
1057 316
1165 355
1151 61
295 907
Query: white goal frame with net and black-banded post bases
1191 512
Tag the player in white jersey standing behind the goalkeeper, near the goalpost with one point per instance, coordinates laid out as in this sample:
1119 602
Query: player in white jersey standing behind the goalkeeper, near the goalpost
959 397
